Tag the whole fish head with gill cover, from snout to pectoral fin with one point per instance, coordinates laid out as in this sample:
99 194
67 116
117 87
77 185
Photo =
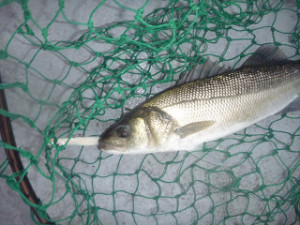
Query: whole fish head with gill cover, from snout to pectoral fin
142 130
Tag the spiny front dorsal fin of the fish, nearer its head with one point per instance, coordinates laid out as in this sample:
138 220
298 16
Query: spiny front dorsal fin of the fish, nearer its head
202 71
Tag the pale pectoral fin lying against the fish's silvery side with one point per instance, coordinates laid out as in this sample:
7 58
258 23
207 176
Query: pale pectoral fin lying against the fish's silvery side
193 128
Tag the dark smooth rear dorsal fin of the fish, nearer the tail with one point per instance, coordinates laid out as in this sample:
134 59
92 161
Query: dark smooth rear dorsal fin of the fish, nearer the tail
267 54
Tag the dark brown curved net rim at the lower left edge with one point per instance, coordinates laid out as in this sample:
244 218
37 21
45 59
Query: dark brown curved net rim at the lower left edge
15 160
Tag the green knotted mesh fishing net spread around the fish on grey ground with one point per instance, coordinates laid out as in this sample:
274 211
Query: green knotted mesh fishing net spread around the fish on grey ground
72 68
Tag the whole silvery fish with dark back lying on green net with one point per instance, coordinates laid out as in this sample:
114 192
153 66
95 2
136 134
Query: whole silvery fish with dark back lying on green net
197 110
